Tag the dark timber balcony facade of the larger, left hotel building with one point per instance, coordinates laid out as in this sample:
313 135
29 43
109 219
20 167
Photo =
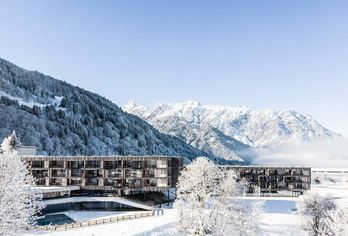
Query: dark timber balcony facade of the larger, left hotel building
114 174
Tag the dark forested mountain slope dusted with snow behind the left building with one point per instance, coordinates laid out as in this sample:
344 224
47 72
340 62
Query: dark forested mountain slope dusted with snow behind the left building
61 119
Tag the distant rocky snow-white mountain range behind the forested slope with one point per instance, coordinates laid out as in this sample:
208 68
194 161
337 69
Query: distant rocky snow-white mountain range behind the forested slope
231 132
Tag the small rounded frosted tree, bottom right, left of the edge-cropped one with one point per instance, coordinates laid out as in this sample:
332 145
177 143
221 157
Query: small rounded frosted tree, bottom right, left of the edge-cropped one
316 210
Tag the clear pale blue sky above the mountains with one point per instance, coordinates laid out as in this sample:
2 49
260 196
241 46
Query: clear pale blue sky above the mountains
261 54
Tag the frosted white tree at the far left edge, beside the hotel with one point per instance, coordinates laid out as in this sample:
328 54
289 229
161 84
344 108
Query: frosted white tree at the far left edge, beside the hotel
19 203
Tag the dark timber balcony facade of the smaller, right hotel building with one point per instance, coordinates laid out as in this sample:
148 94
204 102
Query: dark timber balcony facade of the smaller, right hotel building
274 179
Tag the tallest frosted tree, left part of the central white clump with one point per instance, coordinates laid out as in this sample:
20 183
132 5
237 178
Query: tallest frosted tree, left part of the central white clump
197 183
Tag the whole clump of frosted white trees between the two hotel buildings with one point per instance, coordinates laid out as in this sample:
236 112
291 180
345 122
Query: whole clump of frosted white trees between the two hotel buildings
207 202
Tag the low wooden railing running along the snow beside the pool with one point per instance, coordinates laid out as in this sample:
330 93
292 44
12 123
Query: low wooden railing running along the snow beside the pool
96 222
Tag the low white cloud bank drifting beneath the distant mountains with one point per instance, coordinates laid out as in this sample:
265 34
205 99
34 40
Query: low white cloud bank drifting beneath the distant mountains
329 154
